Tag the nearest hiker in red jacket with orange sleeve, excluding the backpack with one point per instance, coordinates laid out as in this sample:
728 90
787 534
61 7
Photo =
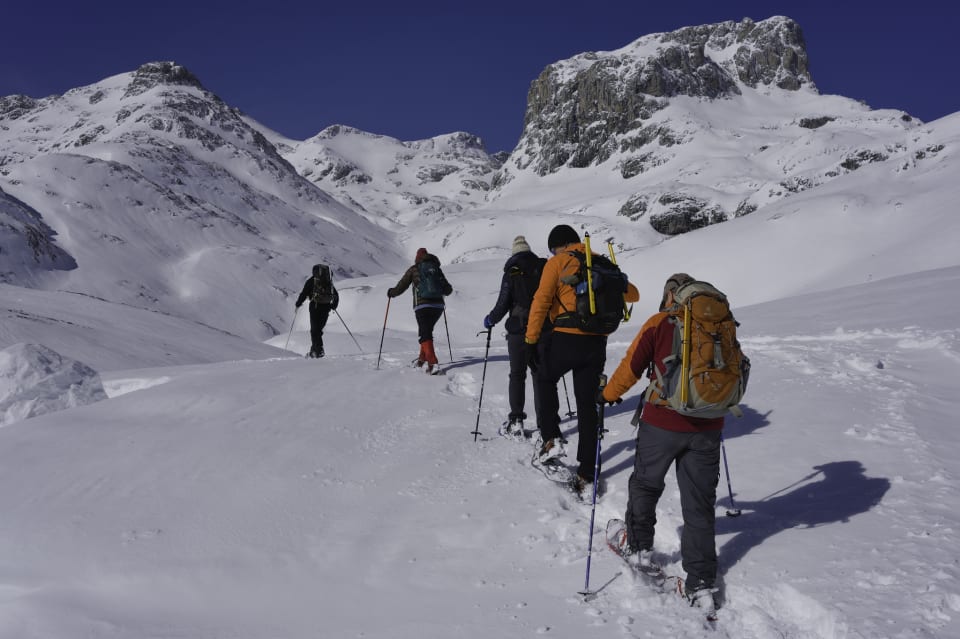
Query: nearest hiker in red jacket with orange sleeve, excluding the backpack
666 438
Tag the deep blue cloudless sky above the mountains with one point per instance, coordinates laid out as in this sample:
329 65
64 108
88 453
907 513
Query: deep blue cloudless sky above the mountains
429 69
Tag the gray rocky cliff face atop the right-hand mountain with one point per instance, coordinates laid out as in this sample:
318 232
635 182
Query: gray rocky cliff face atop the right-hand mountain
582 111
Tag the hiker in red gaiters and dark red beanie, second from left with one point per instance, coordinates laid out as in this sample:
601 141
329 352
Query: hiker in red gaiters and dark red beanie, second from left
430 286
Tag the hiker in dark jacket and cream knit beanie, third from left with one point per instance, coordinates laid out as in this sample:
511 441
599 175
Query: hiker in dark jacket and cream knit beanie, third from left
521 276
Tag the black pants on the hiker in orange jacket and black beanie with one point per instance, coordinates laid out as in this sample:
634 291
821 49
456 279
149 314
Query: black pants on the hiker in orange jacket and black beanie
585 355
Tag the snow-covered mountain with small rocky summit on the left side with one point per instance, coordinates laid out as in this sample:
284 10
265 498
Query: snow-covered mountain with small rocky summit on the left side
148 168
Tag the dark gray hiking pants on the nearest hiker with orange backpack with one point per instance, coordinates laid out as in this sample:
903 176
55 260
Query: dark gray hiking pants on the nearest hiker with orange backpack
697 460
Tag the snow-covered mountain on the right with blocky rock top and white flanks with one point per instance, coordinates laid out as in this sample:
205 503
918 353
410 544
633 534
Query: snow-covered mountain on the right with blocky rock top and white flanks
694 127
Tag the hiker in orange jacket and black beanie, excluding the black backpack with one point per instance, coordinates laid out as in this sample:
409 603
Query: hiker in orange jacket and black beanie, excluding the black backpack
553 353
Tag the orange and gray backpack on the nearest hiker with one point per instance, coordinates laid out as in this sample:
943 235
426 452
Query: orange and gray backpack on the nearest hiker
706 374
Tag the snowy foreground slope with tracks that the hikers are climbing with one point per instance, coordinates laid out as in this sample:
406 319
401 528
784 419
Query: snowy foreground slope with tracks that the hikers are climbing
286 497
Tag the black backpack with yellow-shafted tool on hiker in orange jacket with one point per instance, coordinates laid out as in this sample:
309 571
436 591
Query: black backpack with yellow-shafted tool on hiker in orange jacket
609 287
